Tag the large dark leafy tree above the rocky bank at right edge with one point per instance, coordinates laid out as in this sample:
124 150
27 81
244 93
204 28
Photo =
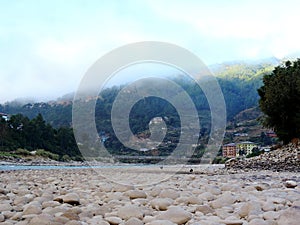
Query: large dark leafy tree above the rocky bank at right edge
280 100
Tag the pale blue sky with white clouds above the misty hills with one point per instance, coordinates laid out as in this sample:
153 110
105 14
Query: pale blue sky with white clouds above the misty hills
47 46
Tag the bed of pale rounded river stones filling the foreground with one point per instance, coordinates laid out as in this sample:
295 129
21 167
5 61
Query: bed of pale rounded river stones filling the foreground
191 196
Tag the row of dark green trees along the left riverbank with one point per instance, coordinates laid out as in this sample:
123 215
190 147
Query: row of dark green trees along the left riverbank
20 132
